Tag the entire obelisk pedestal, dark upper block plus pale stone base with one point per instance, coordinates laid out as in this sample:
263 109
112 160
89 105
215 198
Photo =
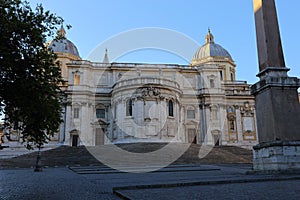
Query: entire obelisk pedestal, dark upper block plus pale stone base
278 122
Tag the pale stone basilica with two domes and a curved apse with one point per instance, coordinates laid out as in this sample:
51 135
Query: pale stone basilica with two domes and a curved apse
109 102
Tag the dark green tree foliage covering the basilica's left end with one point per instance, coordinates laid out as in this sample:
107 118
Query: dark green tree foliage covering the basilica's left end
30 78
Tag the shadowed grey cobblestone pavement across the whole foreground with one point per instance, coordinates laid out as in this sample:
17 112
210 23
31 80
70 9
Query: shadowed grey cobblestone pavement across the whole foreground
174 182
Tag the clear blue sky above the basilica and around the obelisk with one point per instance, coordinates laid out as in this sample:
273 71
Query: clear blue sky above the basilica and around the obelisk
231 22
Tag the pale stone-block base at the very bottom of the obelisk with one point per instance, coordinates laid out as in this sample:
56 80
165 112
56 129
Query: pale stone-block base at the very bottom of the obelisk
281 156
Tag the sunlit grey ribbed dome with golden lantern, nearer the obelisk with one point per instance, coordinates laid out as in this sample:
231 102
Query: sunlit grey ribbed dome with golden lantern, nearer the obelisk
210 49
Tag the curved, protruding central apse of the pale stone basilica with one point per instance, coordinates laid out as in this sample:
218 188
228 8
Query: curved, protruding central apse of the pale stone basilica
146 109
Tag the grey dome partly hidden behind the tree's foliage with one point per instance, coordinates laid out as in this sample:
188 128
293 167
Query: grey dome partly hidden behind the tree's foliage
63 45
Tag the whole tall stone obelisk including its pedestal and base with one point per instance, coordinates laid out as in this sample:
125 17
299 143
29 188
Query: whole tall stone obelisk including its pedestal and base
276 97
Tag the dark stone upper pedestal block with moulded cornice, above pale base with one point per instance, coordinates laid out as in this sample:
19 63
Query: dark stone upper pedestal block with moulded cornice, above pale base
277 105
